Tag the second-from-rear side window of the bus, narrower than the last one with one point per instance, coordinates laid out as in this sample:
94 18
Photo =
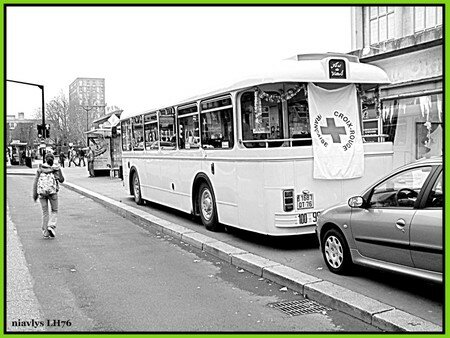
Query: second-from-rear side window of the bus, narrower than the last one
188 128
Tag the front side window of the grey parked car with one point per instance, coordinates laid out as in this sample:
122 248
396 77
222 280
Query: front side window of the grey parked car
401 190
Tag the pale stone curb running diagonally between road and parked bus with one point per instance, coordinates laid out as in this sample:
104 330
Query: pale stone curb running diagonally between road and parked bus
383 316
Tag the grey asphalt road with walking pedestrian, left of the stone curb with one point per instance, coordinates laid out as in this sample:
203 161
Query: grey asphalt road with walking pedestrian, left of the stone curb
105 273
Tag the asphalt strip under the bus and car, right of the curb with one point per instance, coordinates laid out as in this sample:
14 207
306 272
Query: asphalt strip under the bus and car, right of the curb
418 297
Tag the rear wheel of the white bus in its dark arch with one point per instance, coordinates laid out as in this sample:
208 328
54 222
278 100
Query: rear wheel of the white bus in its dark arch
203 195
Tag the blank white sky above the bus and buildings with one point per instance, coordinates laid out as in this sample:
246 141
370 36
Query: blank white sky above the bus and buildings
150 55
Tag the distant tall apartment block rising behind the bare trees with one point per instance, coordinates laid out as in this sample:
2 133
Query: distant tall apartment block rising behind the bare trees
88 96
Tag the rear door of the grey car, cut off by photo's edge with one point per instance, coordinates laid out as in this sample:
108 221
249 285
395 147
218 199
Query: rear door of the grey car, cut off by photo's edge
426 229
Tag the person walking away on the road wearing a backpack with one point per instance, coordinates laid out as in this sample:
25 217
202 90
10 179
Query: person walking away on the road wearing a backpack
46 187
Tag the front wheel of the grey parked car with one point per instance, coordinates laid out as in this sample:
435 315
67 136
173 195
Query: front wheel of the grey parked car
335 252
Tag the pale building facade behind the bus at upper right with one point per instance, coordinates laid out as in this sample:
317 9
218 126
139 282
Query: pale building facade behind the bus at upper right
407 42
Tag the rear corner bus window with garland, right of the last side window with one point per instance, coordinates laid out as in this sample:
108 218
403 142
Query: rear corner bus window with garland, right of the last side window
261 125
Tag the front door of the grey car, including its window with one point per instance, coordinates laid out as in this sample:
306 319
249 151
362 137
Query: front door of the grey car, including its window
382 229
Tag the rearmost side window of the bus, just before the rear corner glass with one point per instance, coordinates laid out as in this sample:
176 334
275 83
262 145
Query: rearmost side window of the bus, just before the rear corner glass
217 124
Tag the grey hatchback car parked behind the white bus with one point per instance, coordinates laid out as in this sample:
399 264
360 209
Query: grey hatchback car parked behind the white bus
394 225
